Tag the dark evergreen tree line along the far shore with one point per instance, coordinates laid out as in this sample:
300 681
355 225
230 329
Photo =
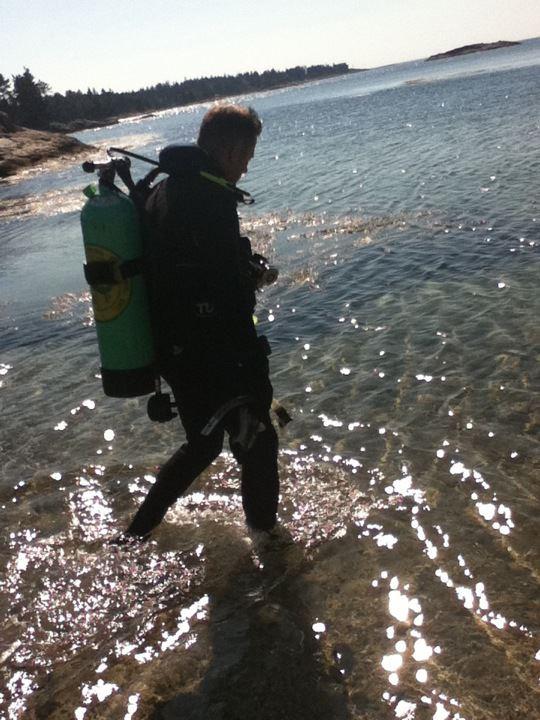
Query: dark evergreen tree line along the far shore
30 102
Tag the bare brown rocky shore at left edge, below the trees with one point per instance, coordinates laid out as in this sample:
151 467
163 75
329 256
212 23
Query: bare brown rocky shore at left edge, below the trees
21 148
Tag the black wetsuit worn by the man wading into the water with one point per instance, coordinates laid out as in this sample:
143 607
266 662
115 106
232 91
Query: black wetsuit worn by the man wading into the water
202 293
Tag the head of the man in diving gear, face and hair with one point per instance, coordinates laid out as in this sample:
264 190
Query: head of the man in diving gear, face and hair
228 134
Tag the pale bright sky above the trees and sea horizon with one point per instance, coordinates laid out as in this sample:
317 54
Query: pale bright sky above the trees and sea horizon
130 44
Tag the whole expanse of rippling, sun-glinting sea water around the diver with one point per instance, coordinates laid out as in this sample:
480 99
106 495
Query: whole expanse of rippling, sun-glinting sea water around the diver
401 206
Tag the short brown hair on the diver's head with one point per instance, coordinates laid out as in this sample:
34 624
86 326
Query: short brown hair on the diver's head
226 125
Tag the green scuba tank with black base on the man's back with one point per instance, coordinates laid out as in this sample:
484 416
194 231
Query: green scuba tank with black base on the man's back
113 247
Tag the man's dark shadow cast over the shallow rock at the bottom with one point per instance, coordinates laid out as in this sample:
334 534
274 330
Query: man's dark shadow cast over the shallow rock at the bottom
265 659
